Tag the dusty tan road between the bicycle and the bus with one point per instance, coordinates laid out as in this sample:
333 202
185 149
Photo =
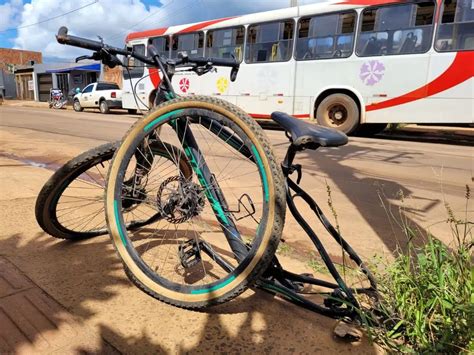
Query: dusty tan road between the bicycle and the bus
369 177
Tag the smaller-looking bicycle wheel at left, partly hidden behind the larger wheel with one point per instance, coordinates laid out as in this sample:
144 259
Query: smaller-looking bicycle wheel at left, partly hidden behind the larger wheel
71 203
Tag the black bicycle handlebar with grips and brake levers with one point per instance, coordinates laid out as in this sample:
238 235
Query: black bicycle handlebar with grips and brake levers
104 49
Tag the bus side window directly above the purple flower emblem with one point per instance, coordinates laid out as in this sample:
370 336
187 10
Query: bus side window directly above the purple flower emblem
396 29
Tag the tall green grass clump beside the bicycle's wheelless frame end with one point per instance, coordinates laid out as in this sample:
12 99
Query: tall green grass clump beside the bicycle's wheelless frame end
426 295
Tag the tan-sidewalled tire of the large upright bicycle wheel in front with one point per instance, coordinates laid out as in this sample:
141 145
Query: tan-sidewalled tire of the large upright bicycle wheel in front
270 236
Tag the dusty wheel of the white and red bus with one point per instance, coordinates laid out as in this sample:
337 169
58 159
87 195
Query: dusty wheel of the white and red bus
353 113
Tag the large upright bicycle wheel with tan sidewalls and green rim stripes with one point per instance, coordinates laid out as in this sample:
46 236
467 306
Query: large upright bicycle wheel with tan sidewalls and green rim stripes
219 229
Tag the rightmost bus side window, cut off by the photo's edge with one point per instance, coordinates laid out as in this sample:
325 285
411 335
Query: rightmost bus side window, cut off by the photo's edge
456 28
